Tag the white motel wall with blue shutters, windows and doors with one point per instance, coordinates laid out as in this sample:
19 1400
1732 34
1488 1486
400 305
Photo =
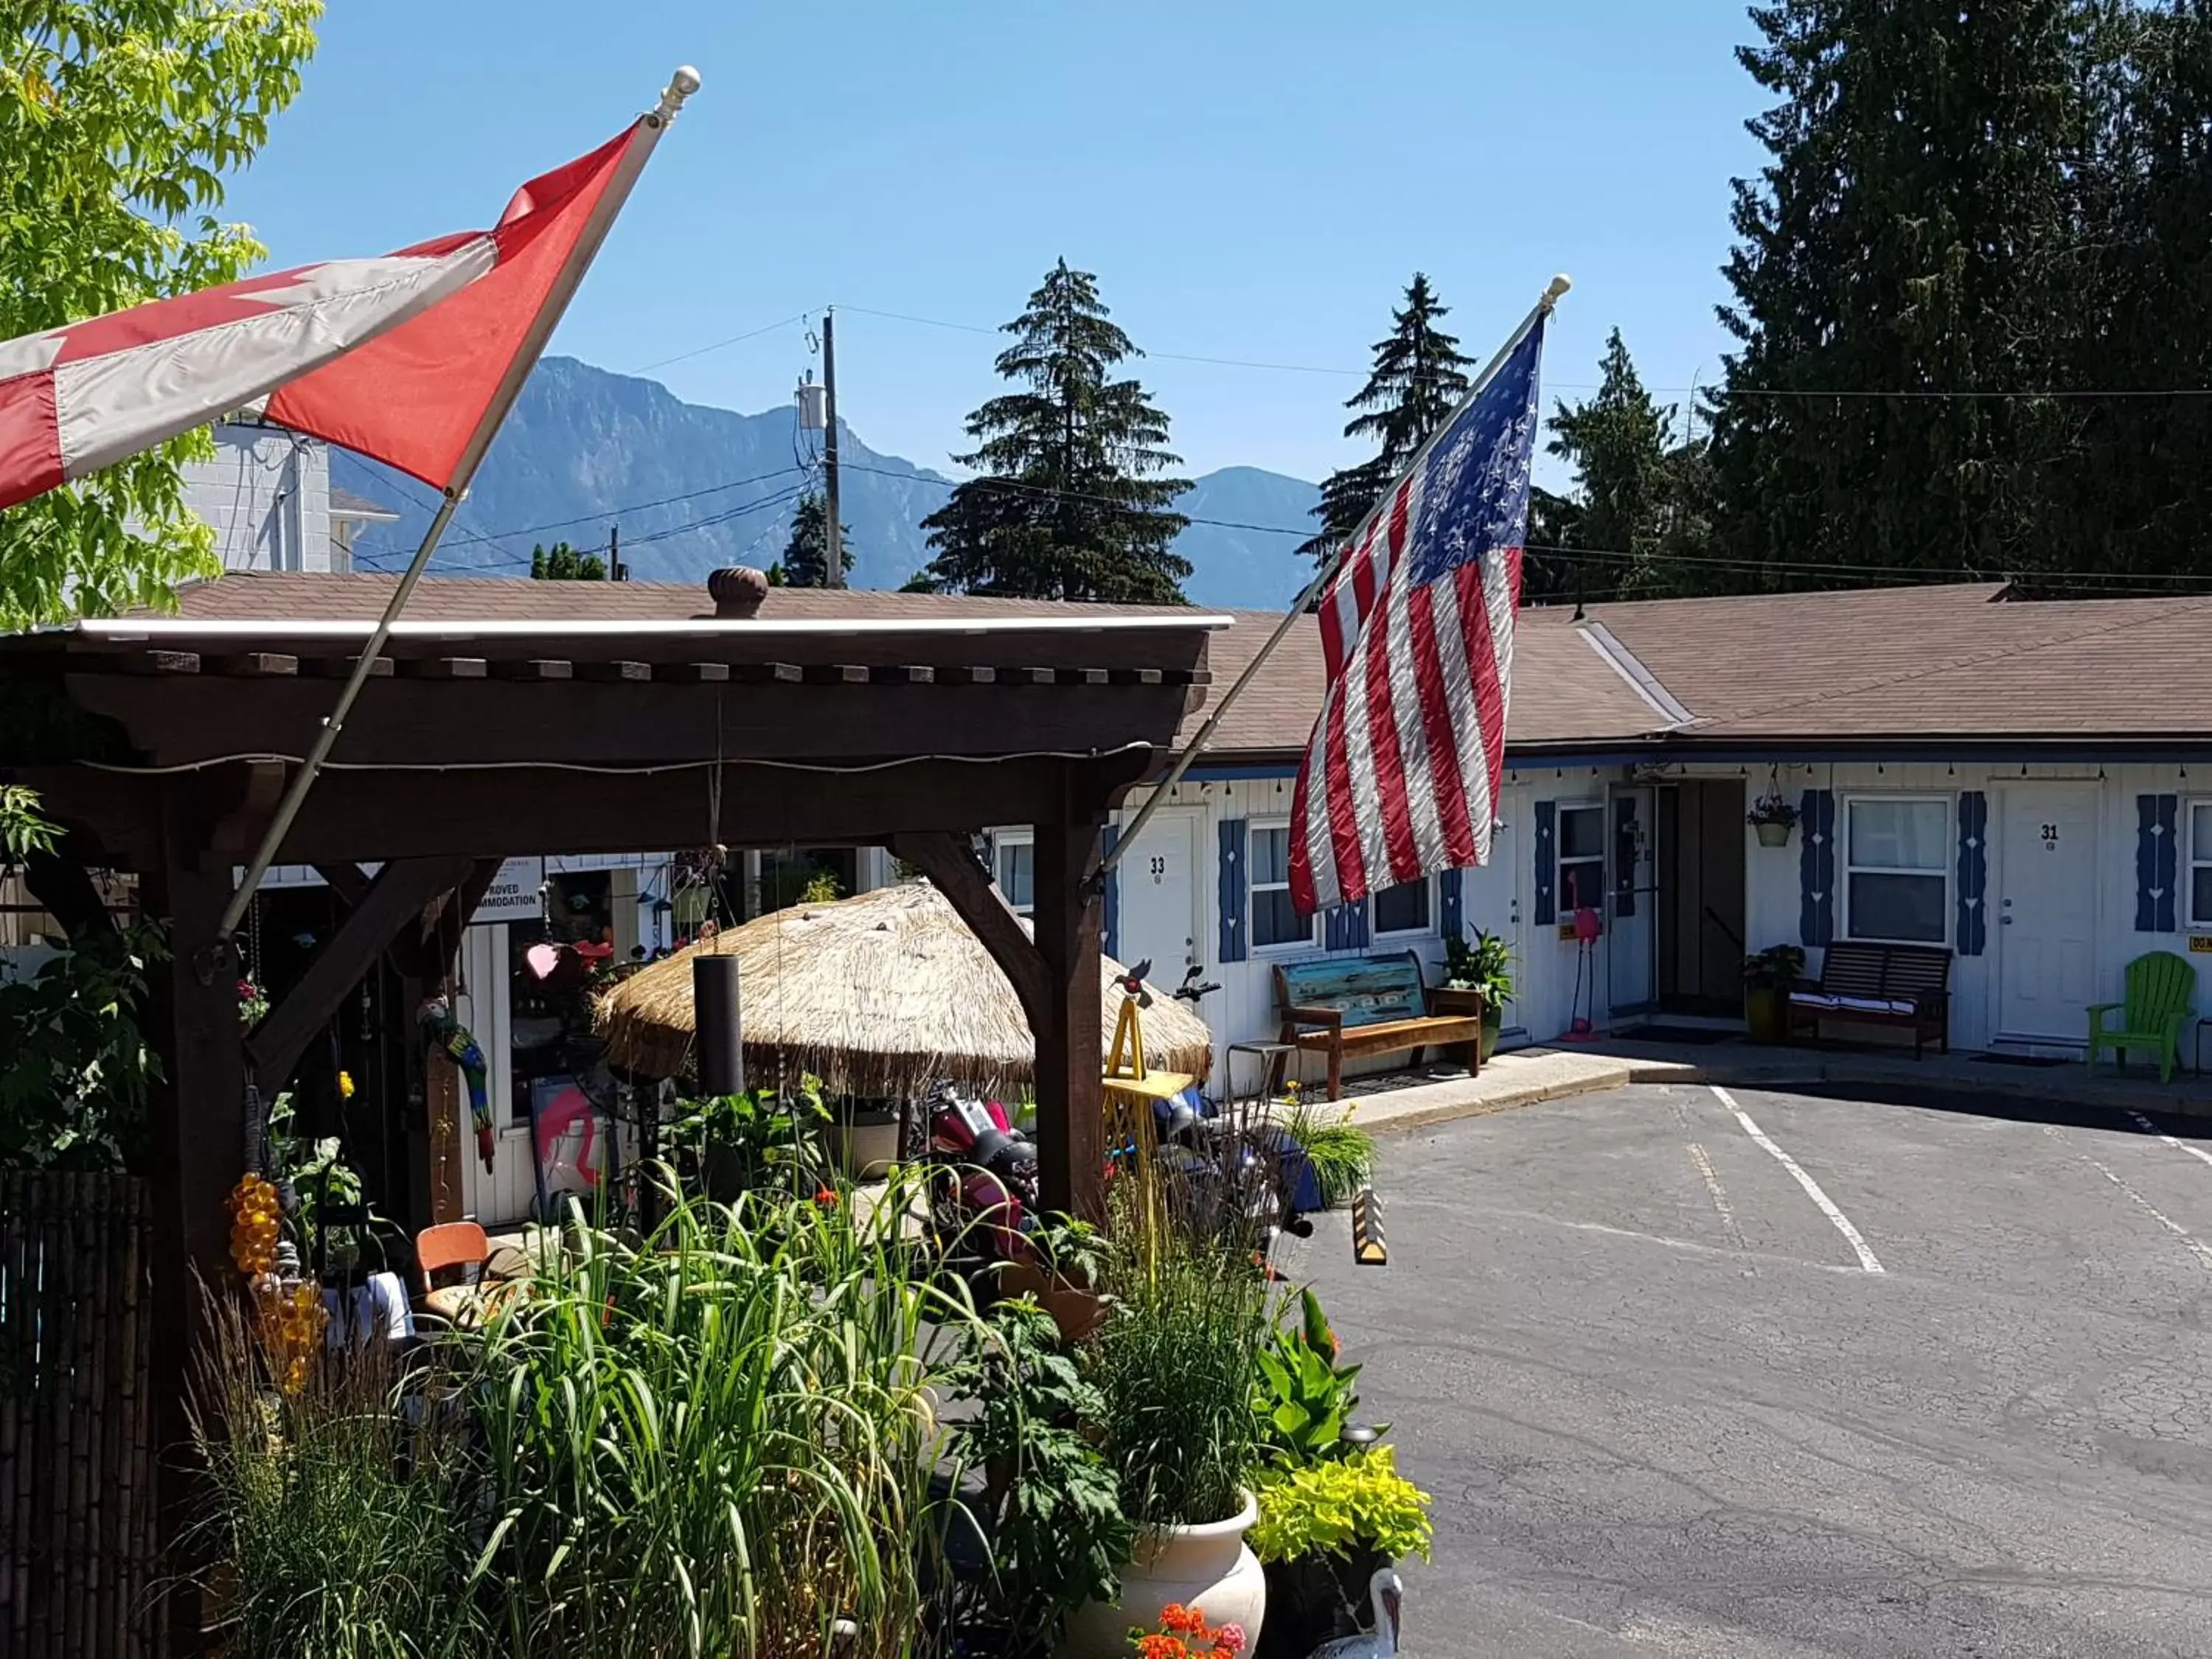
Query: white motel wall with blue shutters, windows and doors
2043 879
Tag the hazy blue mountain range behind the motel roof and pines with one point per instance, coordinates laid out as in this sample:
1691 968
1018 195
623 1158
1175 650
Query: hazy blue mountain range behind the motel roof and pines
696 488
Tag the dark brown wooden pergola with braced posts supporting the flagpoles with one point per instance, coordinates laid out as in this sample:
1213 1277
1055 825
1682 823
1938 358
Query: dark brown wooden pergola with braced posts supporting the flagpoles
163 747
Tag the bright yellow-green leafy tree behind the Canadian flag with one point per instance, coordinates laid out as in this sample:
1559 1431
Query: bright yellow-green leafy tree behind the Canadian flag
118 129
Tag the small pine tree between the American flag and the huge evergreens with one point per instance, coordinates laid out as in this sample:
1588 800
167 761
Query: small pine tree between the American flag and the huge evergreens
1629 508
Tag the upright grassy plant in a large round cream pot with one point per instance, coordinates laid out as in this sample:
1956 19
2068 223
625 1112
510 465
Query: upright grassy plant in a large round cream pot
1173 1366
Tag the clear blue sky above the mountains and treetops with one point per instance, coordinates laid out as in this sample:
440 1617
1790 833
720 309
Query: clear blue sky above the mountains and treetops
1249 182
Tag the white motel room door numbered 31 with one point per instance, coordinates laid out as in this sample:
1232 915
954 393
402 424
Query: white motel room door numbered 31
2047 910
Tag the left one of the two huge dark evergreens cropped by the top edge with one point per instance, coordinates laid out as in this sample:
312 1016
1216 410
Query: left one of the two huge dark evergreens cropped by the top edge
1910 236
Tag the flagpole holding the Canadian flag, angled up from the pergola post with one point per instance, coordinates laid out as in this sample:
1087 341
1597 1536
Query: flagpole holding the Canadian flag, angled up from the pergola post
534 342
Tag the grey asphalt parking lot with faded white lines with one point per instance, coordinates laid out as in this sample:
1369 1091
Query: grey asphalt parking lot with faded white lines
1775 1375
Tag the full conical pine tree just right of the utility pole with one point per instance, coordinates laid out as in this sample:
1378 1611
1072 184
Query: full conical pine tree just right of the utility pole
1074 494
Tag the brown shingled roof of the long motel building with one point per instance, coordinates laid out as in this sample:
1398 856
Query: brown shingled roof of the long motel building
1912 662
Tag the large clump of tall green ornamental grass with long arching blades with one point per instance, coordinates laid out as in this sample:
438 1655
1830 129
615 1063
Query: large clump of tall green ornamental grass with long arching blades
720 1441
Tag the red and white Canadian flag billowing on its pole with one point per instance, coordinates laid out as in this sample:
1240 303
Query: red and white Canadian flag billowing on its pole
399 357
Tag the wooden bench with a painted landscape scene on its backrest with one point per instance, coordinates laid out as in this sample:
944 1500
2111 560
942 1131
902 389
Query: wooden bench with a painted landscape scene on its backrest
1373 1005
